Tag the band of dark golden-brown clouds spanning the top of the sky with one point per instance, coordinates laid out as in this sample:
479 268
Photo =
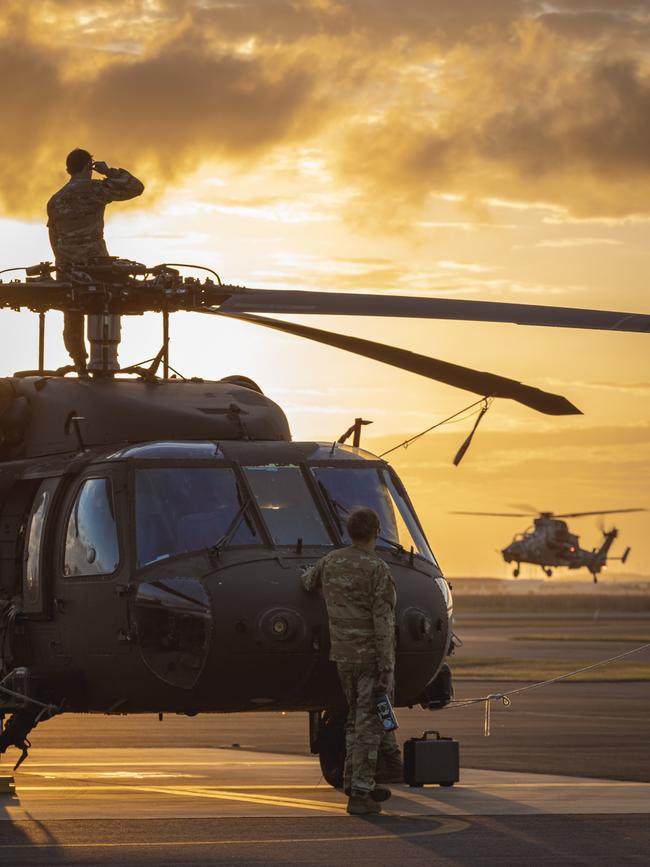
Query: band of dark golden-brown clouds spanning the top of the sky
515 99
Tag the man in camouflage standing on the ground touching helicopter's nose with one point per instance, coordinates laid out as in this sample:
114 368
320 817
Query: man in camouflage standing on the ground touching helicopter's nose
359 594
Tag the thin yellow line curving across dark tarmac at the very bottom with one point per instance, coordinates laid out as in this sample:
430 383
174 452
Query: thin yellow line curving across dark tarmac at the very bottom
443 826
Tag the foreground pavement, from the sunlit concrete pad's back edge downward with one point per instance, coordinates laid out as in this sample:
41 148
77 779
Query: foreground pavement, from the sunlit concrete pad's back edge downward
200 806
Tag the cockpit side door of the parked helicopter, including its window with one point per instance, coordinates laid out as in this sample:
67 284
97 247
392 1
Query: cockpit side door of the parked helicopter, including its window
93 570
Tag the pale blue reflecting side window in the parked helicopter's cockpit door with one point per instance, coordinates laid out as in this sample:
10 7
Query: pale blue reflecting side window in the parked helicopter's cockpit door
91 545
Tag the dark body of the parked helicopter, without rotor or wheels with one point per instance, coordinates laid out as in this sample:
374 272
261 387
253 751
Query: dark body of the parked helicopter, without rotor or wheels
164 576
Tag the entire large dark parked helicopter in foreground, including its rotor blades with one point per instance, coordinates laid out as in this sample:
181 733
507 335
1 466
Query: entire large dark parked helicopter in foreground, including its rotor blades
153 529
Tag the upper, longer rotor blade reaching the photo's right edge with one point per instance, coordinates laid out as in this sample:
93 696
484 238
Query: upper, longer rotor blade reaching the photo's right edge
331 303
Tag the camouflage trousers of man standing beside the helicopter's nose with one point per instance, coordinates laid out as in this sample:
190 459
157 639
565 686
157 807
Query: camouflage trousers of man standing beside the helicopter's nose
363 731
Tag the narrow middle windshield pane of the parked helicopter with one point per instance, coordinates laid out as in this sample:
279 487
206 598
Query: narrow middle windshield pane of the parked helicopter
287 505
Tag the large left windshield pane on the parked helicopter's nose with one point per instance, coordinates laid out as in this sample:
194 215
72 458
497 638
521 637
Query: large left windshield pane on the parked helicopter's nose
184 509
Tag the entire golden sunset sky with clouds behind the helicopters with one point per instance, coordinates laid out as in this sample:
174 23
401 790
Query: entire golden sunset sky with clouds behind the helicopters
469 149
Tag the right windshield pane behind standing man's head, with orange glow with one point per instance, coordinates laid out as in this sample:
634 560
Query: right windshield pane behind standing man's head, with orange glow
369 487
